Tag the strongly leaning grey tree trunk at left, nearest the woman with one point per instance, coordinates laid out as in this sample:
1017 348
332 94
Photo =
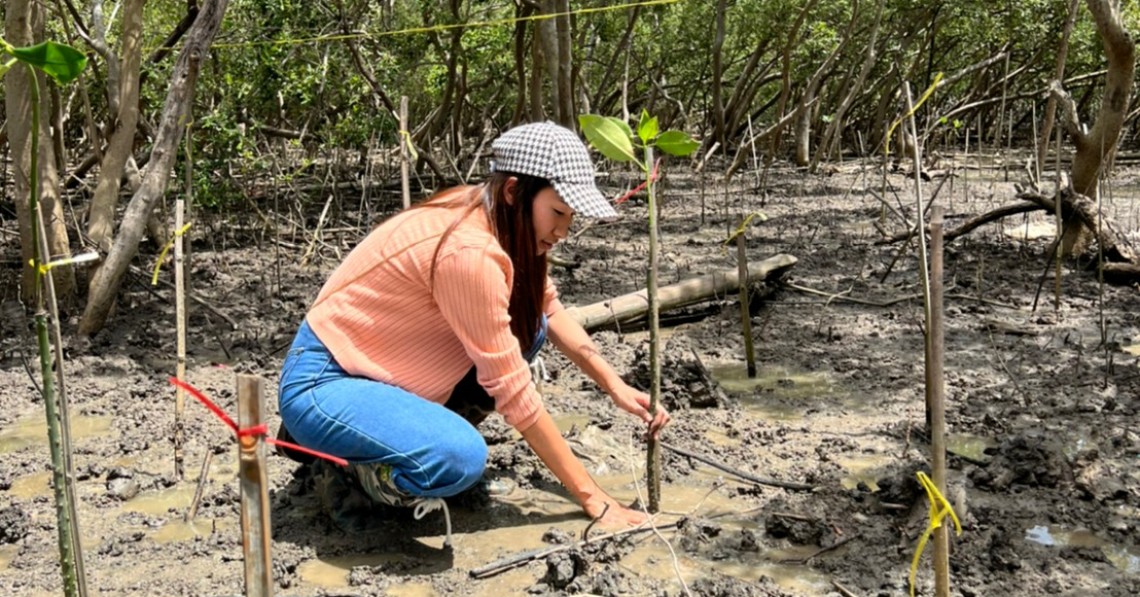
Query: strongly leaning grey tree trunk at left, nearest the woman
110 276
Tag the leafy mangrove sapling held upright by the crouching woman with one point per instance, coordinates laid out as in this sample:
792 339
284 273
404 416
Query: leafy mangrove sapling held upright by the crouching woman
615 140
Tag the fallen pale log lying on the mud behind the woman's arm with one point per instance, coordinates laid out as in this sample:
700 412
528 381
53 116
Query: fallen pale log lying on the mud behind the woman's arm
634 306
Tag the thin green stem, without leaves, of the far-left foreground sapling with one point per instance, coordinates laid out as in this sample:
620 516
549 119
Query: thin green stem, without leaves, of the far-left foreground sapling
59 437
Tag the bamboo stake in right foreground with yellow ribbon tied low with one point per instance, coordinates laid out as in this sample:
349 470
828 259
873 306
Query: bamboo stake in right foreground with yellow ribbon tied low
937 399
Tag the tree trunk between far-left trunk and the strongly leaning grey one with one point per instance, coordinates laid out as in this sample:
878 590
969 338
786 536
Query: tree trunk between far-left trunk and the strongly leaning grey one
102 215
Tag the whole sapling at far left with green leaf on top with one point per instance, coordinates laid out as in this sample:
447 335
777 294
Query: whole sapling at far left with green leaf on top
63 64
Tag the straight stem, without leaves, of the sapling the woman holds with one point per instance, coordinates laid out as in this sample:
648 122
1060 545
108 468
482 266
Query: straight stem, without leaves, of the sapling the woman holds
654 453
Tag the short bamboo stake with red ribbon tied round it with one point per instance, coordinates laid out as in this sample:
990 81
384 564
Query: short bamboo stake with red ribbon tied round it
256 533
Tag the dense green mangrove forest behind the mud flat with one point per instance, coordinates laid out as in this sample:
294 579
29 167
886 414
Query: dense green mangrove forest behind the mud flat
306 96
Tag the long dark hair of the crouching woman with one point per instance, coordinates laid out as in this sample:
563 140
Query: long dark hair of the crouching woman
514 226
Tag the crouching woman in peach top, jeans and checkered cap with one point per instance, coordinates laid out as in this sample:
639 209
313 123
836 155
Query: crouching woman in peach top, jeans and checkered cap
429 325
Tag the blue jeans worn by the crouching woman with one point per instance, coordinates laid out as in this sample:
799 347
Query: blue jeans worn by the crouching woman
434 452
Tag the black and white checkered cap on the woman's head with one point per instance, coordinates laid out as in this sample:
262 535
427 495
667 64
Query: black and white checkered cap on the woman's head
548 151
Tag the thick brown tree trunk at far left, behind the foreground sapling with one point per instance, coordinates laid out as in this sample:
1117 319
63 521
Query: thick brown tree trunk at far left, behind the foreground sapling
25 27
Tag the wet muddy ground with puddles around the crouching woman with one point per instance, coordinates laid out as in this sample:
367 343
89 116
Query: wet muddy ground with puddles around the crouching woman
1043 408
